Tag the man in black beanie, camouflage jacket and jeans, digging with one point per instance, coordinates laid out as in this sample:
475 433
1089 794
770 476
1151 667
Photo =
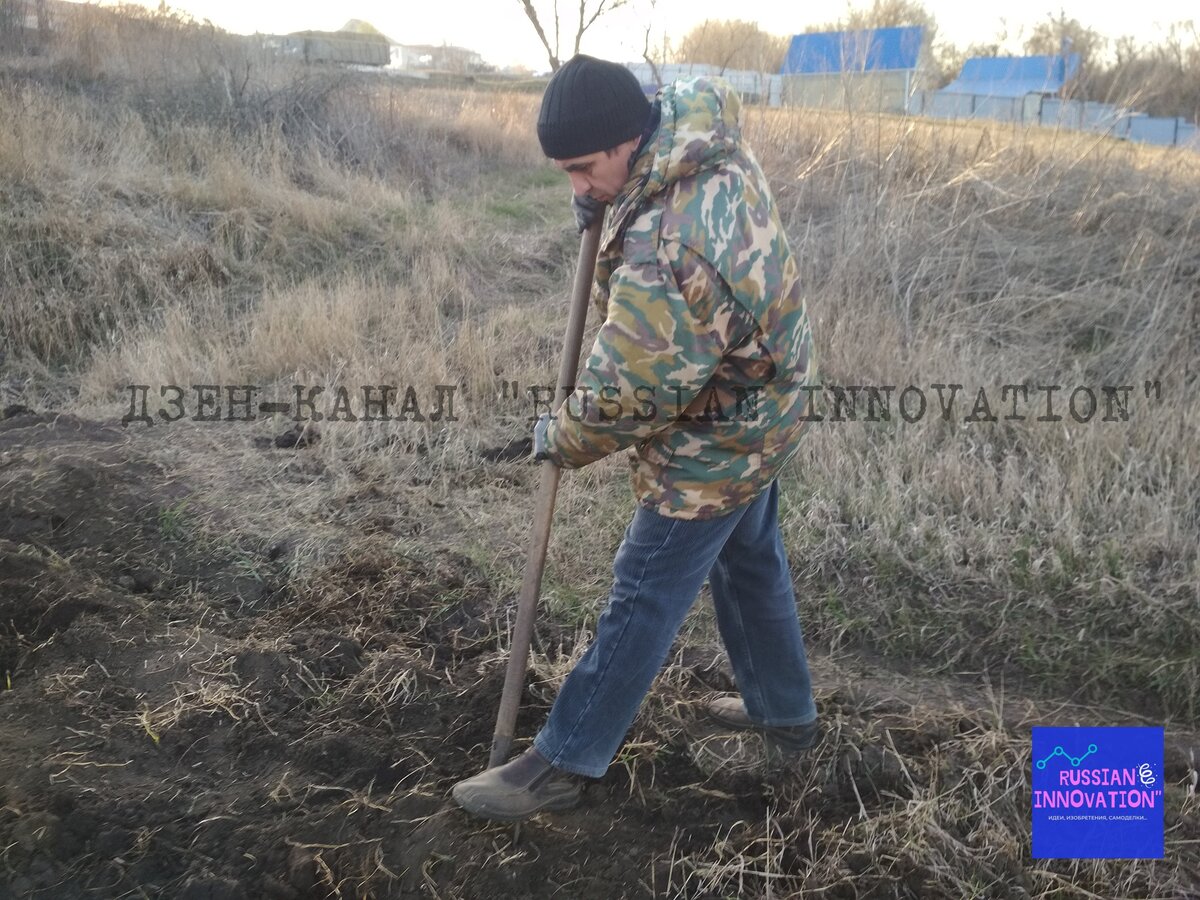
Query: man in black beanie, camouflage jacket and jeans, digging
698 371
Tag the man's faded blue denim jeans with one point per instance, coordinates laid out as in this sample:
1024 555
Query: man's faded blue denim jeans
658 573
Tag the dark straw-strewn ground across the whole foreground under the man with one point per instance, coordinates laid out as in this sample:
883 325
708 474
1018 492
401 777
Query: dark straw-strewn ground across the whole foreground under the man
191 718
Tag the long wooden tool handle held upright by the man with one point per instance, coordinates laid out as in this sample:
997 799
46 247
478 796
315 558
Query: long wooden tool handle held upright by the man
544 513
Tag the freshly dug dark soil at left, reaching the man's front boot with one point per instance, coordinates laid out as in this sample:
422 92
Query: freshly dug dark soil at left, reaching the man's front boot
179 724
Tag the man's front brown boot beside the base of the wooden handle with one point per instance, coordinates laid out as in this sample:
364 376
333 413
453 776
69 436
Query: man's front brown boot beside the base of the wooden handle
519 789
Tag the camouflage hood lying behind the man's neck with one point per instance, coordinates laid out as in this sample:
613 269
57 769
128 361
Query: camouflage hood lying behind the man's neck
699 129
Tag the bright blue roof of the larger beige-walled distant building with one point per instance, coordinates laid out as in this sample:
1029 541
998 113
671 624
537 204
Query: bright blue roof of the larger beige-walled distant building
869 51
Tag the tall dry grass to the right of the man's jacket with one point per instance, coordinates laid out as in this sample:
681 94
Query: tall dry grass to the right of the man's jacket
988 257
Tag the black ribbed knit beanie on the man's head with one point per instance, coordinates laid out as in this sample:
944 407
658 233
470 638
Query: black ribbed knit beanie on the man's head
591 106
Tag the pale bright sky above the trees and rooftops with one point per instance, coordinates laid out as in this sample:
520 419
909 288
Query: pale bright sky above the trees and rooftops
500 31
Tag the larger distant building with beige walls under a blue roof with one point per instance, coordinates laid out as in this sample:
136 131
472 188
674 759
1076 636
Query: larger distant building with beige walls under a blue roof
872 70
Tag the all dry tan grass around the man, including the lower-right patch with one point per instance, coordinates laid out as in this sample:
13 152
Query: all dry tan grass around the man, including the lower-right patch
349 231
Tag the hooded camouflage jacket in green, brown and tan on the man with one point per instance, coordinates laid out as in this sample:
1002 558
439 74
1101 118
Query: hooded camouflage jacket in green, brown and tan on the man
706 345
